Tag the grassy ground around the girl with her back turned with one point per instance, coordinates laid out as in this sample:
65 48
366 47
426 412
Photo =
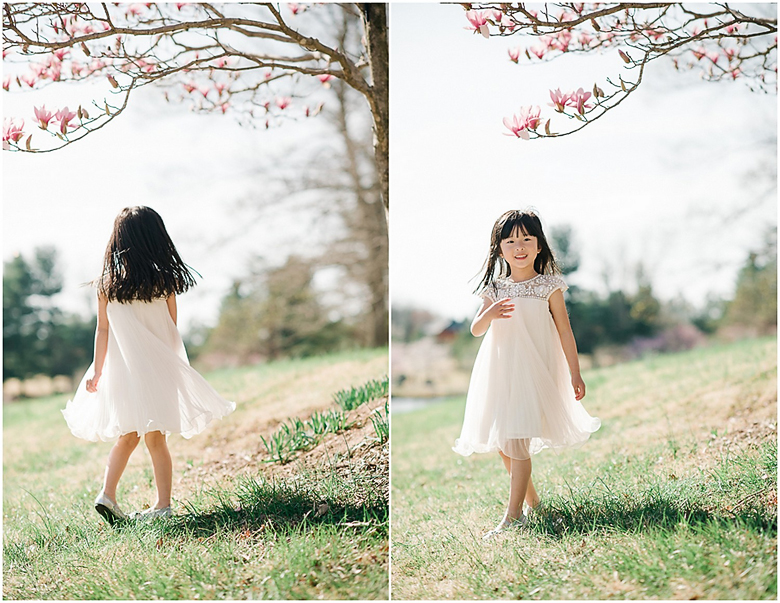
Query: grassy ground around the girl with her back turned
316 527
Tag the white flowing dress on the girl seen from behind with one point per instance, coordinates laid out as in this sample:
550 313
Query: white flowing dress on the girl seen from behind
147 383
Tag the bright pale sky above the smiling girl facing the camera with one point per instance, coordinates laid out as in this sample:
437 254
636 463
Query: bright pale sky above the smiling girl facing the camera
656 180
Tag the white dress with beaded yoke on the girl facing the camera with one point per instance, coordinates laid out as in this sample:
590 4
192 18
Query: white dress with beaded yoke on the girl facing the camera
520 397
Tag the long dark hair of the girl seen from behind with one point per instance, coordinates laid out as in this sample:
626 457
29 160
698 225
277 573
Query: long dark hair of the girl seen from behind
141 262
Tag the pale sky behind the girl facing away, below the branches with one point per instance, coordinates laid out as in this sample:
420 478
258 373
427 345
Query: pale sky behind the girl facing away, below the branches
194 170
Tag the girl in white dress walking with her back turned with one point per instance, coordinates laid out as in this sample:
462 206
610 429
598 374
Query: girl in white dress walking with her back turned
140 383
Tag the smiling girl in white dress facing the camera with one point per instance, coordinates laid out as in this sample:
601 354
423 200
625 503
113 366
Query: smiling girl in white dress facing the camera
526 385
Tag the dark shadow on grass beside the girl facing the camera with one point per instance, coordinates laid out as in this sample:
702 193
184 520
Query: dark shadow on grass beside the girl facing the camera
653 508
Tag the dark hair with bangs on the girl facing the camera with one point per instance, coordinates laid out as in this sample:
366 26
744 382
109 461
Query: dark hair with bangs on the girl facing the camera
529 224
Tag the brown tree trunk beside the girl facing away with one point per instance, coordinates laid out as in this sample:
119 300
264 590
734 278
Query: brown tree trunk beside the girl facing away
375 26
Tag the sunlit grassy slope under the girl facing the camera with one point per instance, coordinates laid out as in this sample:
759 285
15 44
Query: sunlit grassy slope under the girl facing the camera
675 497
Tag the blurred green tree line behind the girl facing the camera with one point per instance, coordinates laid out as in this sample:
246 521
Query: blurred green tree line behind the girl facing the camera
637 321
